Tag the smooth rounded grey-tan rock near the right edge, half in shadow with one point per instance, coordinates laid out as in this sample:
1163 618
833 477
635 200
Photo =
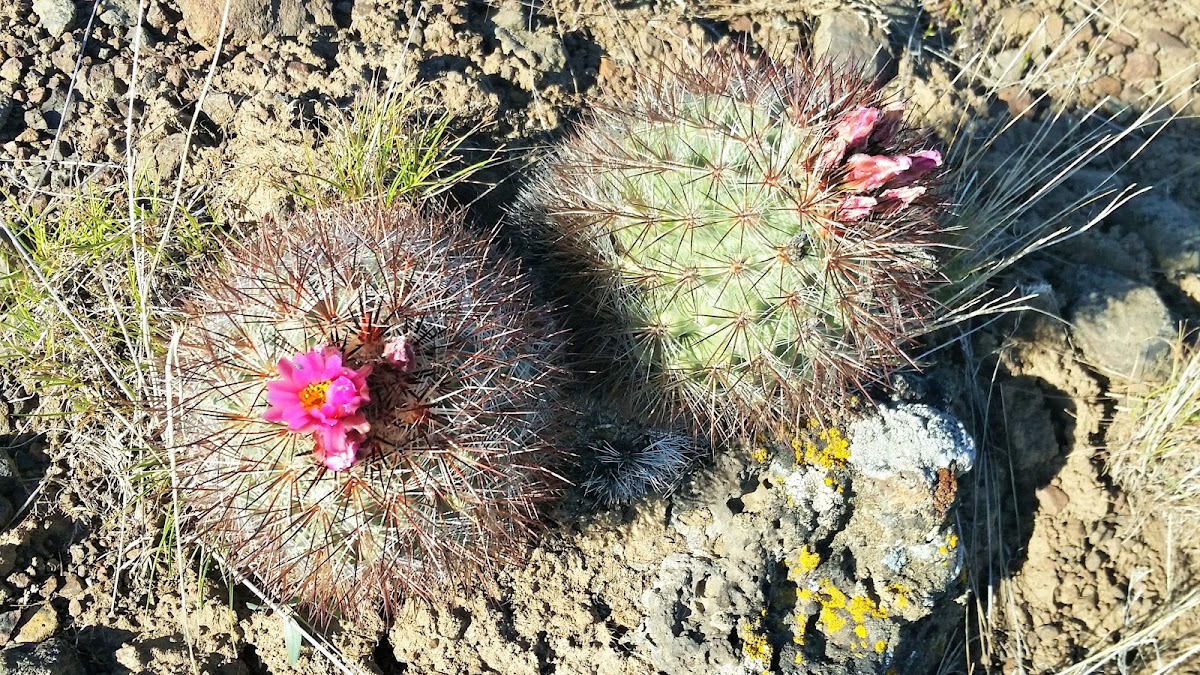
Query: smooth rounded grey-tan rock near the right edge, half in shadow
1123 327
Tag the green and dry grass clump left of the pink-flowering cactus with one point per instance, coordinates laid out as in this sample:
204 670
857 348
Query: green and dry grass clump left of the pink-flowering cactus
81 322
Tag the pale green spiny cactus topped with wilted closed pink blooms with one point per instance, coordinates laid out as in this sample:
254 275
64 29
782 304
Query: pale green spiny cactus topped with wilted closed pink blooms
742 241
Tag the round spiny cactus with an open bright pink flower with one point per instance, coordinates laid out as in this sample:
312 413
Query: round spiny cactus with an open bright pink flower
370 409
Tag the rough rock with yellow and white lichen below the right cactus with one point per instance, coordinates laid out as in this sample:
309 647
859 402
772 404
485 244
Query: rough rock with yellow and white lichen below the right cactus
821 554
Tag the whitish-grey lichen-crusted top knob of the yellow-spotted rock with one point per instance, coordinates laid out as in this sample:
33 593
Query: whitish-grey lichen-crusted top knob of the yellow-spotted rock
910 439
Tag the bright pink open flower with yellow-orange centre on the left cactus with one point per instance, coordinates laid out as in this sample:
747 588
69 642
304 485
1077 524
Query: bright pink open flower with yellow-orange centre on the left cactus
317 395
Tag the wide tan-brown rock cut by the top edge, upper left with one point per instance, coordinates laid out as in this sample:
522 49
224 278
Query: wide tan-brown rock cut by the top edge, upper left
251 21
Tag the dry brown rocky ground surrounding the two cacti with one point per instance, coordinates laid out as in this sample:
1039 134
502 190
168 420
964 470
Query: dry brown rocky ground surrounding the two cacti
1024 564
